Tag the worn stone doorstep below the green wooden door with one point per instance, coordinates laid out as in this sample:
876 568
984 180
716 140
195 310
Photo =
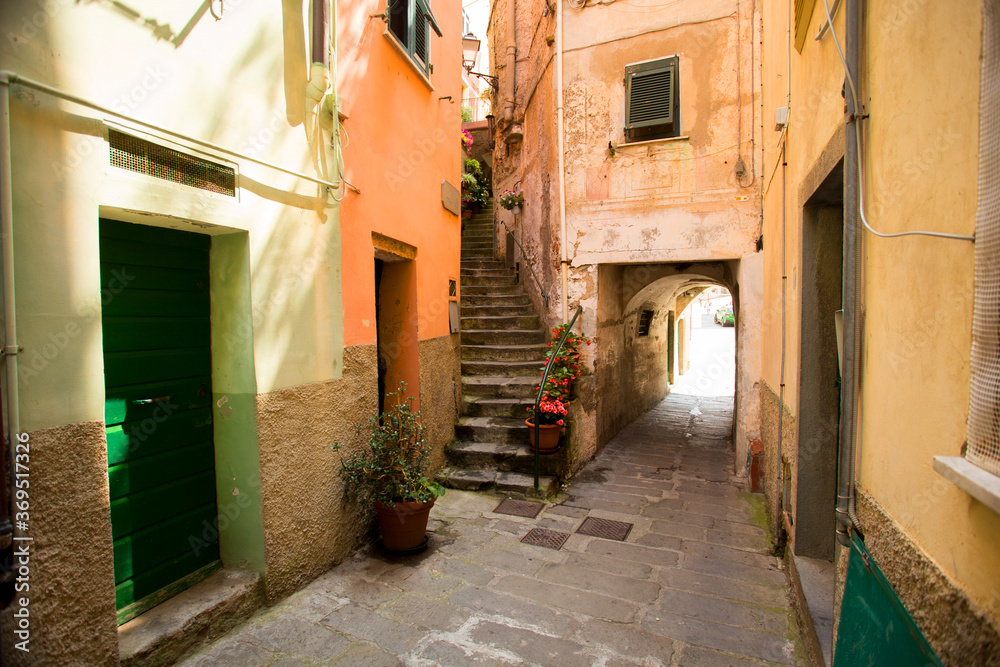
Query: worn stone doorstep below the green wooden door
191 619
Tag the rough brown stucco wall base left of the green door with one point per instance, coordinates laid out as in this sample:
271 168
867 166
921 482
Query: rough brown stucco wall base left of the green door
71 585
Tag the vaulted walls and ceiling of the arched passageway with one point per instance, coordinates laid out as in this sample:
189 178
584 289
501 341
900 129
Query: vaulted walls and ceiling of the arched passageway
637 314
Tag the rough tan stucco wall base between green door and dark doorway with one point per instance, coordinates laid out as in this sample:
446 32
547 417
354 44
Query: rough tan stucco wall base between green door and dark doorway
307 526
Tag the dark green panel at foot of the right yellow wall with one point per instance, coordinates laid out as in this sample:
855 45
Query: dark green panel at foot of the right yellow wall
875 628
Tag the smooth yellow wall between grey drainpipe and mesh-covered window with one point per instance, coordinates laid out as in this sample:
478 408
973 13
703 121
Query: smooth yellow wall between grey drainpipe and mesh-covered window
922 169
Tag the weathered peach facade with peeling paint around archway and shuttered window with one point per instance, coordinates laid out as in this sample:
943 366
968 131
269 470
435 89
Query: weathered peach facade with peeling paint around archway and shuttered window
653 202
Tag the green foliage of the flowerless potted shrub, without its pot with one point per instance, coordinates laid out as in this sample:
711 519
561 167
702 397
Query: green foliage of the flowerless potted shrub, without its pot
392 466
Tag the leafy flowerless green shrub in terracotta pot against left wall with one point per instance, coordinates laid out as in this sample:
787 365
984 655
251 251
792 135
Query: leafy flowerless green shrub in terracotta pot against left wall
389 474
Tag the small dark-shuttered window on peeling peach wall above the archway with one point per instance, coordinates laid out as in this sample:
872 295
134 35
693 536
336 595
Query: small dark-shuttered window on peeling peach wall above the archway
652 100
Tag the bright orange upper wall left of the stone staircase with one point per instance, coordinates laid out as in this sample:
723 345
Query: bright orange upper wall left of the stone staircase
403 141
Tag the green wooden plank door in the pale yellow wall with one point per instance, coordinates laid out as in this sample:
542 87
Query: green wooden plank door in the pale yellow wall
157 375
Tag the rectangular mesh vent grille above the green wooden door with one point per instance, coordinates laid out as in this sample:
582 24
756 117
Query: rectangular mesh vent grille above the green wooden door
145 157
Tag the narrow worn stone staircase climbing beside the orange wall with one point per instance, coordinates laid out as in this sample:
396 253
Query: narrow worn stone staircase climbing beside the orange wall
503 348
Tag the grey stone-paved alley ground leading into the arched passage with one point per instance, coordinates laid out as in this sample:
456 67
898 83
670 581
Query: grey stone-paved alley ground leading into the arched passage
692 584
